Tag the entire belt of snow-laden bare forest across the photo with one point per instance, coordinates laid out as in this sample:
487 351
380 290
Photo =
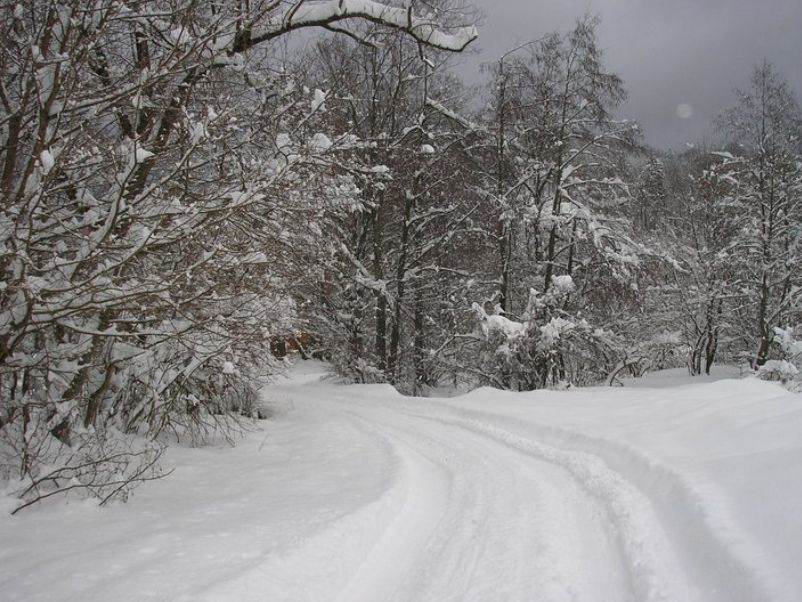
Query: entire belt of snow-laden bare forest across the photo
188 190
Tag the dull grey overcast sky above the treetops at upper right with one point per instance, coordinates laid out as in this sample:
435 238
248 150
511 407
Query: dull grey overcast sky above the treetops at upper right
680 59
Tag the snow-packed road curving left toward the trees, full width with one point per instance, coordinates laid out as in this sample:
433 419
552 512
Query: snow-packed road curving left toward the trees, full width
484 513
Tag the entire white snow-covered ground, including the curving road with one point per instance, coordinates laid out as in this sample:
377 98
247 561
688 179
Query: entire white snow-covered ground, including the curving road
354 493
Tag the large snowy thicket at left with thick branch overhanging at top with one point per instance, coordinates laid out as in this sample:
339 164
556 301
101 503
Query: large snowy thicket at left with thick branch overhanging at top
162 187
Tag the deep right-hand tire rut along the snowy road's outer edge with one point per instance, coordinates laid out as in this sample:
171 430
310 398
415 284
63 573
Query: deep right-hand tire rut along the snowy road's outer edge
672 550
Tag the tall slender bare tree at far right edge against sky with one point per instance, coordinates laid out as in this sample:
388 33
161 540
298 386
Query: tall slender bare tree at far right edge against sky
761 196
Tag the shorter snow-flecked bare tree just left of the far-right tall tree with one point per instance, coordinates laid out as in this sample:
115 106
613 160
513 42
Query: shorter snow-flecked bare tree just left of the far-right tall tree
686 275
